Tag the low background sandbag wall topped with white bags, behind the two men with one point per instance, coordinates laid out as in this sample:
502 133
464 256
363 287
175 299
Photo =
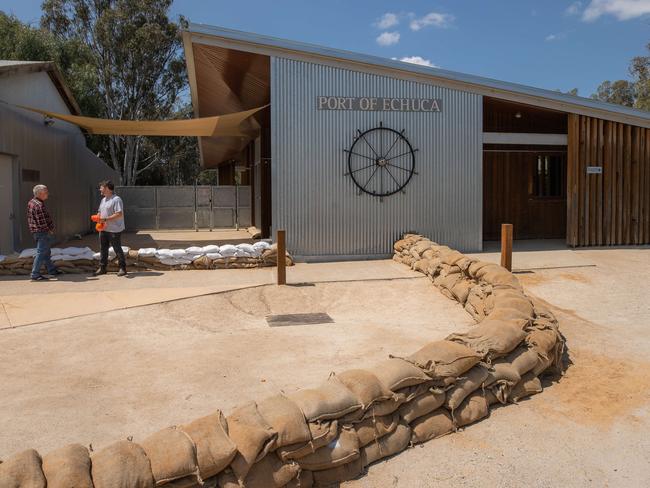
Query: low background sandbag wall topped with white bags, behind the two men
74 260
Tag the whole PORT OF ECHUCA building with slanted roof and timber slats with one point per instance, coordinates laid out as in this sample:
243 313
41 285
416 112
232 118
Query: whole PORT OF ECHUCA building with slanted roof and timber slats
355 150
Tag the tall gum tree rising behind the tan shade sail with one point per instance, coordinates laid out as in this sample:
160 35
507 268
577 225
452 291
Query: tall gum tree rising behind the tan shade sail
138 68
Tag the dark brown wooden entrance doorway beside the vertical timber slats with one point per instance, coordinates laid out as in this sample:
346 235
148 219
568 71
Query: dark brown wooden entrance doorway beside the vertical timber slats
526 189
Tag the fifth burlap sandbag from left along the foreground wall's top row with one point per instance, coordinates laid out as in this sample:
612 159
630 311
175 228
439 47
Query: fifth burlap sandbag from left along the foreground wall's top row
214 449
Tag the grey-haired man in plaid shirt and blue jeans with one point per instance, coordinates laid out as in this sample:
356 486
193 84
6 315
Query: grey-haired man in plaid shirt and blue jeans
42 228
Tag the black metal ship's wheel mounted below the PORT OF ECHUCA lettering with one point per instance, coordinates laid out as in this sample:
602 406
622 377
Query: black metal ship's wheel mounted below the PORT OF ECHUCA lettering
381 161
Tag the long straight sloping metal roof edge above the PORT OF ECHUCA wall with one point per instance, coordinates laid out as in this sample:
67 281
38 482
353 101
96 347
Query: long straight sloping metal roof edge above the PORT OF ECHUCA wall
453 76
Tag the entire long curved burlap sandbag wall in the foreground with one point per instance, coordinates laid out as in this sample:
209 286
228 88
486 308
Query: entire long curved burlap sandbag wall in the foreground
325 435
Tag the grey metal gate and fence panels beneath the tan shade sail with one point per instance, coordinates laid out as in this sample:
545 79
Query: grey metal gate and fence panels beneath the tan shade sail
185 207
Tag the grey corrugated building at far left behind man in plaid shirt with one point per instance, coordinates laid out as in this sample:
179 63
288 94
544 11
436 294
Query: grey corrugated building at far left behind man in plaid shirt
32 152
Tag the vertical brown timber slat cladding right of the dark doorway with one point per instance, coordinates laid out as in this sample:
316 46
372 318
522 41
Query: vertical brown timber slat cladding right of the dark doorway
613 207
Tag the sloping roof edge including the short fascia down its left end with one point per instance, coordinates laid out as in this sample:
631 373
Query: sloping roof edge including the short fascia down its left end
272 46
